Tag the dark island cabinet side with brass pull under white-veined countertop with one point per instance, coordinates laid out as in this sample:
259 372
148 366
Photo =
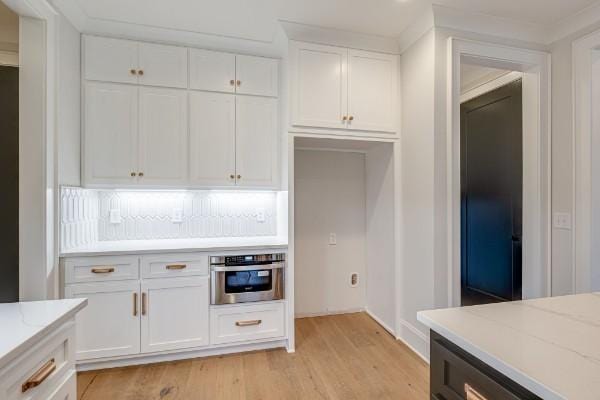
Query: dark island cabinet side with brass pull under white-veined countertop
457 375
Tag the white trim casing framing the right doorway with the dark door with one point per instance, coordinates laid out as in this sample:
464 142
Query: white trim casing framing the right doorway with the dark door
536 159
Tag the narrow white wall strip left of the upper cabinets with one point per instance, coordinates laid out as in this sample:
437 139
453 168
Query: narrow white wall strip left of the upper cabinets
68 104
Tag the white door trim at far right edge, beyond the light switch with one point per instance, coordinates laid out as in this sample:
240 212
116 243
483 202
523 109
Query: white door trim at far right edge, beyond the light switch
584 131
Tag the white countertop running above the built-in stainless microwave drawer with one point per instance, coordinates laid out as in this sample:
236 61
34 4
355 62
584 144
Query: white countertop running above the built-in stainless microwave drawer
162 245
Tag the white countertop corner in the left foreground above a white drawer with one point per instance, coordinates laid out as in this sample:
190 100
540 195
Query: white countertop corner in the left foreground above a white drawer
23 324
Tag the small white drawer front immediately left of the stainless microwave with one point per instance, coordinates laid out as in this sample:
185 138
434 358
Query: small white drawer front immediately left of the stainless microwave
174 265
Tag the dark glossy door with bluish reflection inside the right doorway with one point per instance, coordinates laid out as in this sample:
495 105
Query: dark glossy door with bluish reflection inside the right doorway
491 196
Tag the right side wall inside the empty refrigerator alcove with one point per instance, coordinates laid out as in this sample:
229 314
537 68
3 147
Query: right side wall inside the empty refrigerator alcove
381 240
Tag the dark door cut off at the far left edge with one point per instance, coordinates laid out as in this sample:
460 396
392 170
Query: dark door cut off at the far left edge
9 179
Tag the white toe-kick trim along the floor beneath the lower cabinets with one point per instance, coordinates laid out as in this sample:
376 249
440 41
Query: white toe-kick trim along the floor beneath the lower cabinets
140 359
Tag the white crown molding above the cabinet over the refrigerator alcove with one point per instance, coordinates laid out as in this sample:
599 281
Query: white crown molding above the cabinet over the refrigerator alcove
336 37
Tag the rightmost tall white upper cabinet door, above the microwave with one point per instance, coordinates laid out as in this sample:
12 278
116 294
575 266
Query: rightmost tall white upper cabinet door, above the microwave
256 142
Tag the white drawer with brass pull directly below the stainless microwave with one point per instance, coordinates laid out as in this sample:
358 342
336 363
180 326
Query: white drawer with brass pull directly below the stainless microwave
246 322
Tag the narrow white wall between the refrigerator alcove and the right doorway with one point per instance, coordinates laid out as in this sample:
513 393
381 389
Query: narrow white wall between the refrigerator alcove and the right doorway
416 291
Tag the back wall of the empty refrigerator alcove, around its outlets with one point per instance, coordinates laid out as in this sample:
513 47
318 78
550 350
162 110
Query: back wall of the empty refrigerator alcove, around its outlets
330 197
